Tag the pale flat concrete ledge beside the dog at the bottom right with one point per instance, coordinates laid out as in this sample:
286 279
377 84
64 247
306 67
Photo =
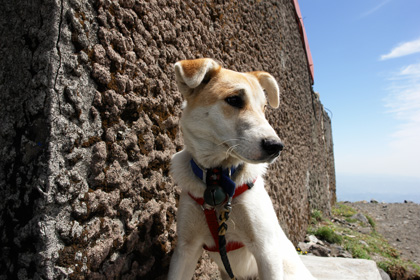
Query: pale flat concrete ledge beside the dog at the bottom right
341 268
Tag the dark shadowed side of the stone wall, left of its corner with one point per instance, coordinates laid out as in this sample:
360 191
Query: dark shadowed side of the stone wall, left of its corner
29 62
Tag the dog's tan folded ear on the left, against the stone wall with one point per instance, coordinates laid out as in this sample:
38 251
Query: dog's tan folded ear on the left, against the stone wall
192 73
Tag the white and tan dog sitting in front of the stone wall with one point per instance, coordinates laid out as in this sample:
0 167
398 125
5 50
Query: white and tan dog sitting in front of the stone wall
223 125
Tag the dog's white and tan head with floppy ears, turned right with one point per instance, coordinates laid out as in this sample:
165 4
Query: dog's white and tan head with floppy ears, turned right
224 114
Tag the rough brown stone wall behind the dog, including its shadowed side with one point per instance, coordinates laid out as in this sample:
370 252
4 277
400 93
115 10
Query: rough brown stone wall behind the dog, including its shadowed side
90 109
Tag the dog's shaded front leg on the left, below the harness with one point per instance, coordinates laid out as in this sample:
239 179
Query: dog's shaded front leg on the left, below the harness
184 260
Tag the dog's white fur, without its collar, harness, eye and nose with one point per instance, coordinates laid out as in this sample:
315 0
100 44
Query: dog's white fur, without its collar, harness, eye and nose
213 140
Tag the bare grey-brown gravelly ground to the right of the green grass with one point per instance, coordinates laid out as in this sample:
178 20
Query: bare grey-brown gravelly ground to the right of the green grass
399 223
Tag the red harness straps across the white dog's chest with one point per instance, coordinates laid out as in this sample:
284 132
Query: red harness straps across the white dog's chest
213 223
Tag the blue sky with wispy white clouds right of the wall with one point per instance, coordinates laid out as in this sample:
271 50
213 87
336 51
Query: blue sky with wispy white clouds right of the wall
366 56
